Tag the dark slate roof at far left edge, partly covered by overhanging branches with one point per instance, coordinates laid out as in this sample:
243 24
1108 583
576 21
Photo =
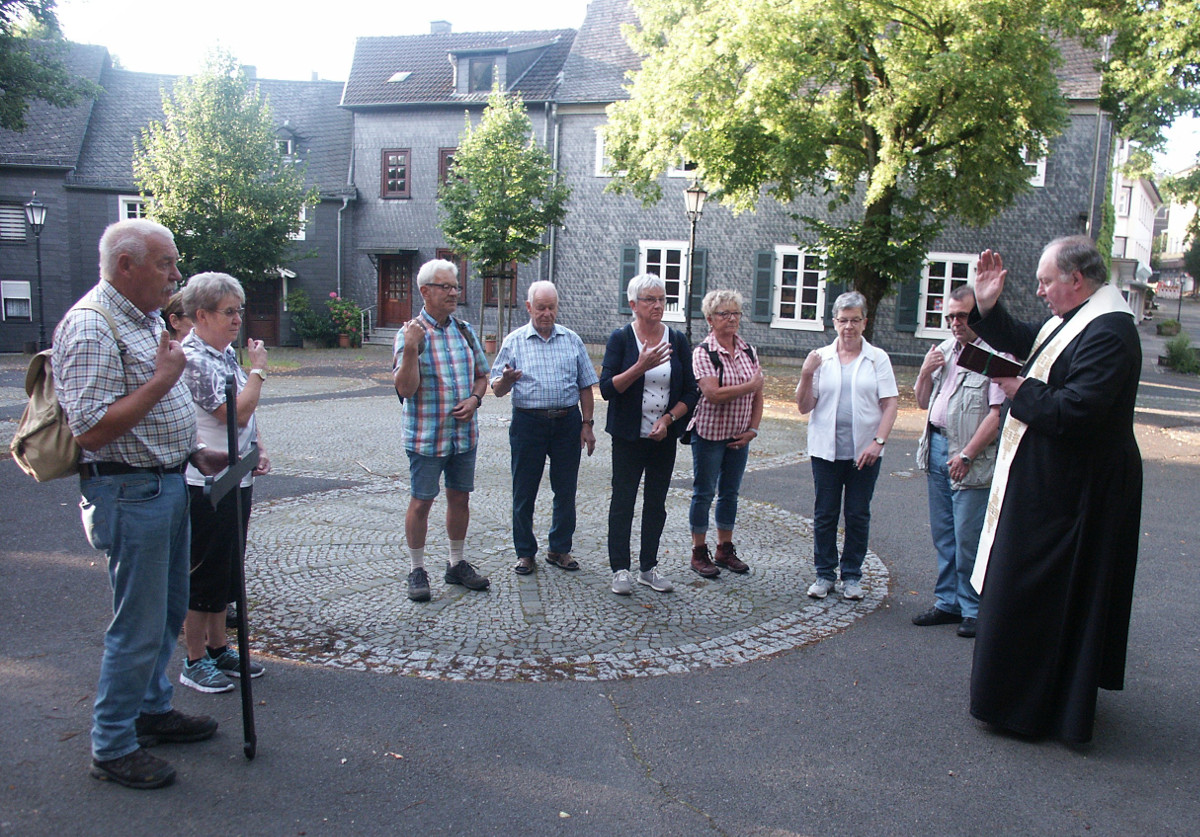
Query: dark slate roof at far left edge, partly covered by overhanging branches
53 137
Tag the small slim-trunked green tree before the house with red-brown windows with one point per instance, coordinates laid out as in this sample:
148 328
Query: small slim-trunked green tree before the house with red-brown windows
502 195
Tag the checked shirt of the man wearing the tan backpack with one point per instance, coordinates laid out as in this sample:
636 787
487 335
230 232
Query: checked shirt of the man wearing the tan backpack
92 372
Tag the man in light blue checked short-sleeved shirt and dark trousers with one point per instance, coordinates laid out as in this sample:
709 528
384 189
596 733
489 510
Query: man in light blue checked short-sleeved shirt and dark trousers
550 375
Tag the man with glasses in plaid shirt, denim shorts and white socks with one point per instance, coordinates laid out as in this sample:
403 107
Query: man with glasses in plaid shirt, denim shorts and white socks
441 374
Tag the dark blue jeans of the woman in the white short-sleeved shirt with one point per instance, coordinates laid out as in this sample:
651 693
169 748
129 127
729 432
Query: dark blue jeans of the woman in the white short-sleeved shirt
832 481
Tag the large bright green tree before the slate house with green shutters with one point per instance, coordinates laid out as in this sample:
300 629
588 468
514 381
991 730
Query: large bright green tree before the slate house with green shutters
904 115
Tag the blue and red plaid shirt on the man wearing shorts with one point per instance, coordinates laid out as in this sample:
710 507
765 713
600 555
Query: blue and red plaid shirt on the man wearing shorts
449 364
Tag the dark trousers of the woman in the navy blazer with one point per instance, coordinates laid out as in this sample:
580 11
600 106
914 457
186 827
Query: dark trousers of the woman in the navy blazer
631 460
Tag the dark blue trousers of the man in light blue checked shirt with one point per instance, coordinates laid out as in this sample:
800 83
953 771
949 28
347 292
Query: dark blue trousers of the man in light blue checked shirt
532 438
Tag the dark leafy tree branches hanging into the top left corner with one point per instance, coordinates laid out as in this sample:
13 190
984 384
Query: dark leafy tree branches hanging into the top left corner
32 69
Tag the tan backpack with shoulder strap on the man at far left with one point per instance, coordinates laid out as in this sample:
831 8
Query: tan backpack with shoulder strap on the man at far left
44 445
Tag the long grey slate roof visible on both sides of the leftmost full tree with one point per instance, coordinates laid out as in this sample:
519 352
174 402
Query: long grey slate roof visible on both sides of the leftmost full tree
131 101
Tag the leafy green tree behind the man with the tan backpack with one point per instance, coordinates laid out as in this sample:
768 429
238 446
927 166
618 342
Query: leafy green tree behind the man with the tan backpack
217 178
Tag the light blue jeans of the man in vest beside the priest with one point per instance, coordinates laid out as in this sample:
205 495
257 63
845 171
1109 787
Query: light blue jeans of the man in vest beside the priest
956 519
